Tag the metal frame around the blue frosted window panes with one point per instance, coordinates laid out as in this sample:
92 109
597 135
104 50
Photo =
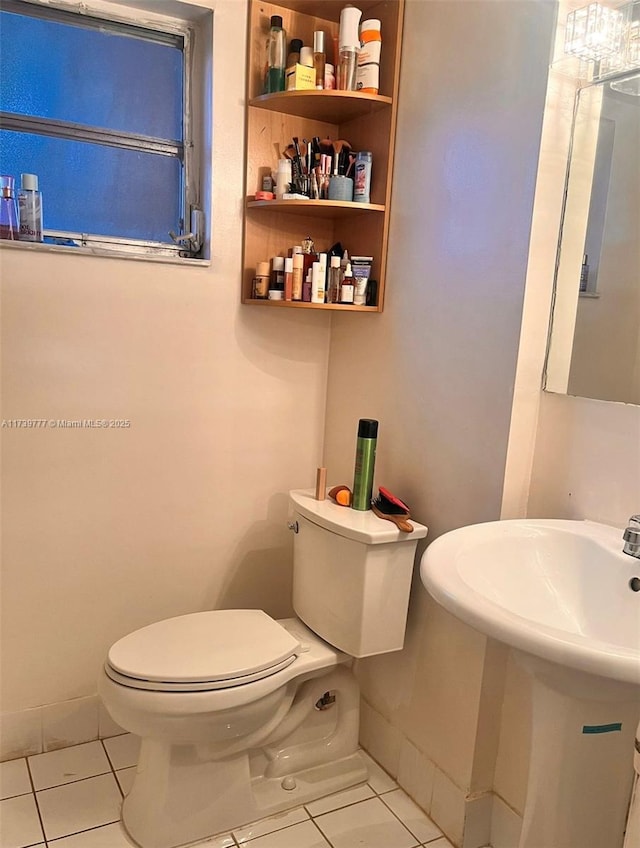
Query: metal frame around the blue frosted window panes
191 243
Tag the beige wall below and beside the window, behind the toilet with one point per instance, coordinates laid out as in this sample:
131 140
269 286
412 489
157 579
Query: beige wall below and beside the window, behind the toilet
105 531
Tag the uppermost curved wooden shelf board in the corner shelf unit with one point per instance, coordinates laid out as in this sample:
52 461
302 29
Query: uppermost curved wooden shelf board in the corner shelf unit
334 107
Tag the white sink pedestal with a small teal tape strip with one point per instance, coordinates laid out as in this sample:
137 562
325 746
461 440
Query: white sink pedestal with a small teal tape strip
581 765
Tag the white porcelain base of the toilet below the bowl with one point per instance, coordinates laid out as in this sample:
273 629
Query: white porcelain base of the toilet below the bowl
185 792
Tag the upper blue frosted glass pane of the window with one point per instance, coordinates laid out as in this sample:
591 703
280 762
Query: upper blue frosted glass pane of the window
72 73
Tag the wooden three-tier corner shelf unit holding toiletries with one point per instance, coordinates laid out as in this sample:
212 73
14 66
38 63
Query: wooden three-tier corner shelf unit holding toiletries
367 121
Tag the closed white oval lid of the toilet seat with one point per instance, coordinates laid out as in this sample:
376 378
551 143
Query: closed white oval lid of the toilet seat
205 647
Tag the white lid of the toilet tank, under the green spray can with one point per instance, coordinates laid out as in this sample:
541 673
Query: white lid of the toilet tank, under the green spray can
360 525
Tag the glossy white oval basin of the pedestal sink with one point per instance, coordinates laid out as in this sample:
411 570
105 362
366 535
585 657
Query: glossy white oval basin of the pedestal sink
557 589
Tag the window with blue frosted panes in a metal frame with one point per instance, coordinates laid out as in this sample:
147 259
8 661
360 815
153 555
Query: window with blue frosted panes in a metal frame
99 110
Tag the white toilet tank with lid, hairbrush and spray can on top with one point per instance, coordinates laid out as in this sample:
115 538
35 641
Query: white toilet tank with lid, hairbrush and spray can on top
351 575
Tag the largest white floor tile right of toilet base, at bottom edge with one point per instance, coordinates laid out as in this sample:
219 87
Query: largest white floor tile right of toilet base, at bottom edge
368 823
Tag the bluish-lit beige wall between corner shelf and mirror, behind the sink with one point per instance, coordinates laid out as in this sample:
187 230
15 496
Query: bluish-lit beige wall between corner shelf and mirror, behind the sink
437 367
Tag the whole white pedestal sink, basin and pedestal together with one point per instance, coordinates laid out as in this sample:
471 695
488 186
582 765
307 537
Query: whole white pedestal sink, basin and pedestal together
563 595
